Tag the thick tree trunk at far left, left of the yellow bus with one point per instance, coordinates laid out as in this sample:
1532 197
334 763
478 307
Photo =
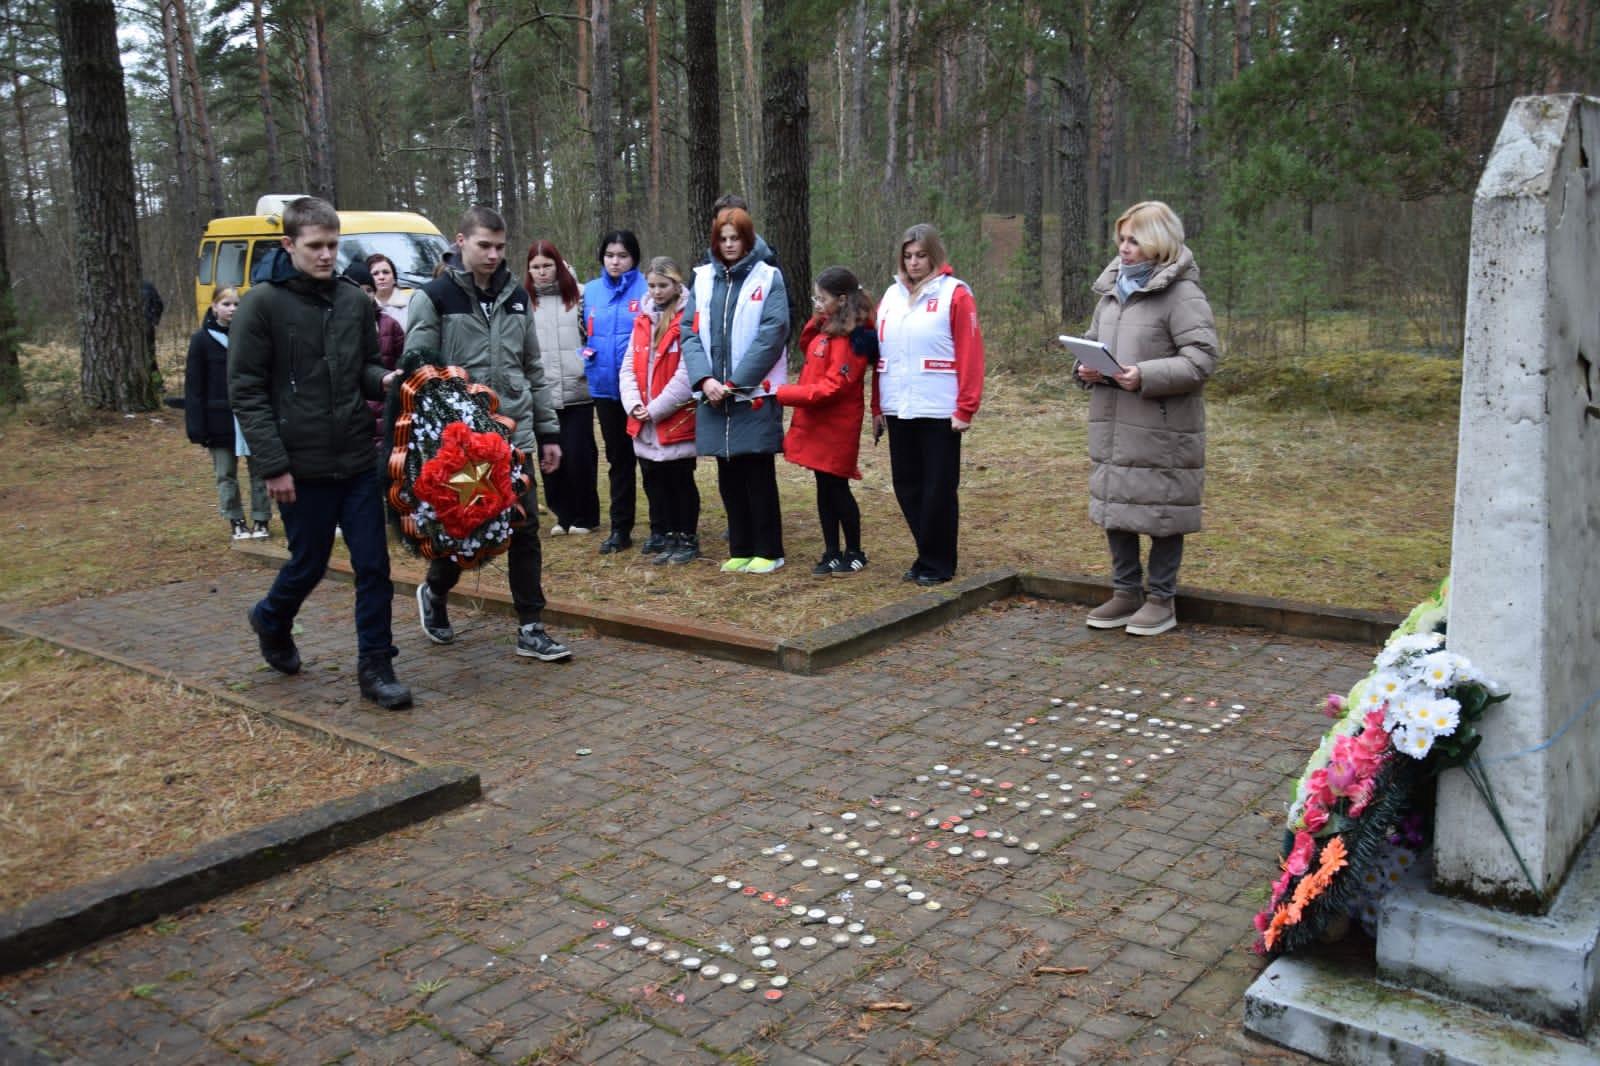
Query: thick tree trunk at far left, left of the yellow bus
118 364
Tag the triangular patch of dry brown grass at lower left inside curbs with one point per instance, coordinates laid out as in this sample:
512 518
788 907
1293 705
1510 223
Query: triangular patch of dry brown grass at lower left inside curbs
102 771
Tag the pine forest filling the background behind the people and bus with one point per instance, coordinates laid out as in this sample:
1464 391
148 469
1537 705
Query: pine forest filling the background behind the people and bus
1322 153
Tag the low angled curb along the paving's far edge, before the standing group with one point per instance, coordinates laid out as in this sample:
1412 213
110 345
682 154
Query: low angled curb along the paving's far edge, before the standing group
833 646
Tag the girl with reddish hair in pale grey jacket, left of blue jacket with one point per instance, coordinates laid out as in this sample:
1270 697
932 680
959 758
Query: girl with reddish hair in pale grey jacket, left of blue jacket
569 489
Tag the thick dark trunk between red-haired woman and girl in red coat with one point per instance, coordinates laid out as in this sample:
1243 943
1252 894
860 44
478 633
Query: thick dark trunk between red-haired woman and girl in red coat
786 146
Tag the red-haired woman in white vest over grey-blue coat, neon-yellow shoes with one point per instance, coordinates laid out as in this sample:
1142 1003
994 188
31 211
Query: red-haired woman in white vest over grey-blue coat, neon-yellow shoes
738 315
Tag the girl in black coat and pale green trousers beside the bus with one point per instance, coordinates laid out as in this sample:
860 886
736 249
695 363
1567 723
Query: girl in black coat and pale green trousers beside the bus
210 420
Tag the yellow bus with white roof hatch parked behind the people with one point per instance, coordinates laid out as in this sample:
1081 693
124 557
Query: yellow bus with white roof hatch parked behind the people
233 247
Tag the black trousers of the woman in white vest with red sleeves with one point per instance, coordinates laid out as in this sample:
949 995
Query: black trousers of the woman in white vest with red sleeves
926 465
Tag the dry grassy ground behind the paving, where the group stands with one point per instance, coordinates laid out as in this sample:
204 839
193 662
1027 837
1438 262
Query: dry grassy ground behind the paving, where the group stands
1300 505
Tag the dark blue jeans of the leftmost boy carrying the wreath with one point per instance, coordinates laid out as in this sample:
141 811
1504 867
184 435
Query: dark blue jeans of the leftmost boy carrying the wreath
356 508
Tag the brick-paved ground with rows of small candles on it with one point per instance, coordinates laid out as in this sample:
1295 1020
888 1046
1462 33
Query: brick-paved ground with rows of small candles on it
492 934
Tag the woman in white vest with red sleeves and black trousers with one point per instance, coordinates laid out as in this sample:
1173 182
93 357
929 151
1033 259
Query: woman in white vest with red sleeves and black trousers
927 391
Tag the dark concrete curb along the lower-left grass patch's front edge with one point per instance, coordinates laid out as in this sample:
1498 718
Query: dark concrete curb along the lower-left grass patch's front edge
79 916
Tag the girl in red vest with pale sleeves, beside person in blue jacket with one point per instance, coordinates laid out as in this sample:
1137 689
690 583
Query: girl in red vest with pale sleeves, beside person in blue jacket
660 406
